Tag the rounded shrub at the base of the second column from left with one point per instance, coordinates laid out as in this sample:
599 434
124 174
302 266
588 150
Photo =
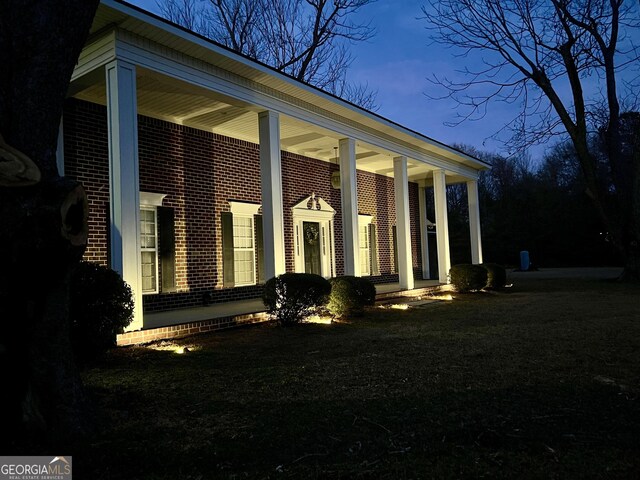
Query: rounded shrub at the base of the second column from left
291 297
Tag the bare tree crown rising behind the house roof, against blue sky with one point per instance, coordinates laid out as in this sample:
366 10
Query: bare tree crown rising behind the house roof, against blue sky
306 39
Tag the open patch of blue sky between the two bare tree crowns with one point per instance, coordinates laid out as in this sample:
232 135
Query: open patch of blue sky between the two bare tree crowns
397 62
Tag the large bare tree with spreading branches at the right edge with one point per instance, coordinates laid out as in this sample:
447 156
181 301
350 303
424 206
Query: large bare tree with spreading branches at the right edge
561 60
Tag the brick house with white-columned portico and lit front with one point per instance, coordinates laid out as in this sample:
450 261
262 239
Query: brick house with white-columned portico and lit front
208 173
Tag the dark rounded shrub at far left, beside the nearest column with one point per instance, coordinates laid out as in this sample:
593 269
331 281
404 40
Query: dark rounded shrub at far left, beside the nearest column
100 307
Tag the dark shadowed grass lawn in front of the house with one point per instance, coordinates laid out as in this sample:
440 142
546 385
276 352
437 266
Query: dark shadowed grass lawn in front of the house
541 381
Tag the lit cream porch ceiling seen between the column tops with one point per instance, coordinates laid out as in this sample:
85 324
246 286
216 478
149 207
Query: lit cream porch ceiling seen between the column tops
186 104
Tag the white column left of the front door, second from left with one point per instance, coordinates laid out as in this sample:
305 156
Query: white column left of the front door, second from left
271 175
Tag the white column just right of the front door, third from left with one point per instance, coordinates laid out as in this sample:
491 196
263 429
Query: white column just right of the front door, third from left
349 196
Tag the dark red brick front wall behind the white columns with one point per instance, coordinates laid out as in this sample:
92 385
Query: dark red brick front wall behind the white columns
200 172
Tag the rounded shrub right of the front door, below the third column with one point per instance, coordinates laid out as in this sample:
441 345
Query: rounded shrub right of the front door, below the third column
349 296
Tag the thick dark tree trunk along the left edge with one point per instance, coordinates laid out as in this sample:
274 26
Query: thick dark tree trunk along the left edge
43 219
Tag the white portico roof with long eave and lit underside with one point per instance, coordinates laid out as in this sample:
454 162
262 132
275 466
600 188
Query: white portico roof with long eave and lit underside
187 79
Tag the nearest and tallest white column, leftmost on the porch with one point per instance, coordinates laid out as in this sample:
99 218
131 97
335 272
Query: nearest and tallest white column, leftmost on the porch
123 178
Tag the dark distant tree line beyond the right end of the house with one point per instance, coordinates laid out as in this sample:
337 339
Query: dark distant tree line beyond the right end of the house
540 207
